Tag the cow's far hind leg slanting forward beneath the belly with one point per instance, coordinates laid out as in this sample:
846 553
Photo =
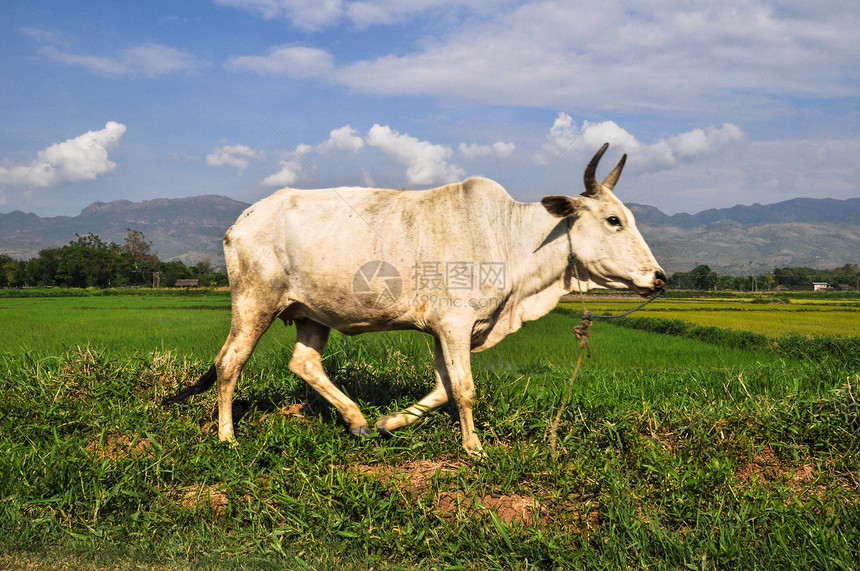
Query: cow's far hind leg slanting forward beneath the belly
311 338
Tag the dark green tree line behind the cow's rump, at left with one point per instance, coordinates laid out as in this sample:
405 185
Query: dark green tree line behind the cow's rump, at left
89 261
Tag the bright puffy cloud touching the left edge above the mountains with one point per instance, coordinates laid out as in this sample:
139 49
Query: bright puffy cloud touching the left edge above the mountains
83 158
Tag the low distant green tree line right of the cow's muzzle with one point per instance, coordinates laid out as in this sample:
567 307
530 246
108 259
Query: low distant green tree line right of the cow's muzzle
702 277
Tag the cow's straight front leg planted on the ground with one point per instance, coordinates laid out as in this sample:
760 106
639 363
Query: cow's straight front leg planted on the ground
456 351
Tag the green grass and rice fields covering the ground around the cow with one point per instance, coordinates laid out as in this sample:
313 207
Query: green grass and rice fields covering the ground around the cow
704 433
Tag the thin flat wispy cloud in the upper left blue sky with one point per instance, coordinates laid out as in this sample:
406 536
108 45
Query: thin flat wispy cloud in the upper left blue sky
148 59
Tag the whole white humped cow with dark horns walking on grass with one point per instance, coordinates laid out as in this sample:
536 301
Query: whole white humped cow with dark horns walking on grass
464 262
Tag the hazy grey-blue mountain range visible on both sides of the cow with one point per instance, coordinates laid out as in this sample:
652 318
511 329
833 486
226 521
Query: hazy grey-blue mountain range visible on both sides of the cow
741 240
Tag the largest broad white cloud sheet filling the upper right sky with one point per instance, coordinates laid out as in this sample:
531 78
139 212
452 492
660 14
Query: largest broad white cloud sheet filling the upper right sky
659 56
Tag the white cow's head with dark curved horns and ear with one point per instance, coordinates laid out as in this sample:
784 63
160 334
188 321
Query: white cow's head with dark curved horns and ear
608 247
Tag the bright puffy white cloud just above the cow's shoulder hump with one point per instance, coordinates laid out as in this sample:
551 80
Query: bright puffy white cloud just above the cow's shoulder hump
425 162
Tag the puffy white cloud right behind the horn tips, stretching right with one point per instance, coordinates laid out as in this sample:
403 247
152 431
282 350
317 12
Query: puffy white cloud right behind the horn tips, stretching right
566 136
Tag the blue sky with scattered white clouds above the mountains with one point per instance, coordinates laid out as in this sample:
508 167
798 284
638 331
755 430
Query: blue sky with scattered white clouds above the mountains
716 104
